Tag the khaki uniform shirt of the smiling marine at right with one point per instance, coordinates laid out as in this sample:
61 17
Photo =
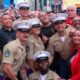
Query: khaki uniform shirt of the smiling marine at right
64 48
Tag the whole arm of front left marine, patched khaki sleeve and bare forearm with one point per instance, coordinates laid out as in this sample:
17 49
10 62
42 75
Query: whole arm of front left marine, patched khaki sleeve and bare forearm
7 61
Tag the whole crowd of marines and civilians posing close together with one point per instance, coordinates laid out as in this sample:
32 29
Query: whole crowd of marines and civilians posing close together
39 45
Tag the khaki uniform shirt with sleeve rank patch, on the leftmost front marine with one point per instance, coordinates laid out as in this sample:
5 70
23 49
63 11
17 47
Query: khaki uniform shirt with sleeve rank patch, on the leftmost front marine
15 54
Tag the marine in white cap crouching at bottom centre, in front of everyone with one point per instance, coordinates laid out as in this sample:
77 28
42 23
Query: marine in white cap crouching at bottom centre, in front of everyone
43 73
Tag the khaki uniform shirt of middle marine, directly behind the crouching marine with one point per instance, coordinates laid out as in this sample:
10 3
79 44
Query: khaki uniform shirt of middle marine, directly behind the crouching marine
35 45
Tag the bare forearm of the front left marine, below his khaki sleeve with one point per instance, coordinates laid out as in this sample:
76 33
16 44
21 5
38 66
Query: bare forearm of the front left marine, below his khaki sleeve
9 71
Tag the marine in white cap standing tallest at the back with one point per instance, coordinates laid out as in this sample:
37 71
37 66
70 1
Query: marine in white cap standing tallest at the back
24 13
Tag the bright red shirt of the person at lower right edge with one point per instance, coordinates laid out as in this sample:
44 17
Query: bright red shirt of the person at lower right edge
75 67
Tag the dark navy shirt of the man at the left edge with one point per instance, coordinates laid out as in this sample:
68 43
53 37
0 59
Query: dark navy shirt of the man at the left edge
6 36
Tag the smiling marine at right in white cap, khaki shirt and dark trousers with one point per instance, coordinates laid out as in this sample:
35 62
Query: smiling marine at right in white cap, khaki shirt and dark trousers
60 45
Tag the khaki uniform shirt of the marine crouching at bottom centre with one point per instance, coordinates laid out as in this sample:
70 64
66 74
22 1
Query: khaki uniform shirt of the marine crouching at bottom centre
50 76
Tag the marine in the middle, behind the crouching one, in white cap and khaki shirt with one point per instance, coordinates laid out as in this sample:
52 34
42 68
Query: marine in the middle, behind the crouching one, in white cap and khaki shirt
35 41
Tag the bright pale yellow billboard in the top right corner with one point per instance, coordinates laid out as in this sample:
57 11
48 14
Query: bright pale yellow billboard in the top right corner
69 2
